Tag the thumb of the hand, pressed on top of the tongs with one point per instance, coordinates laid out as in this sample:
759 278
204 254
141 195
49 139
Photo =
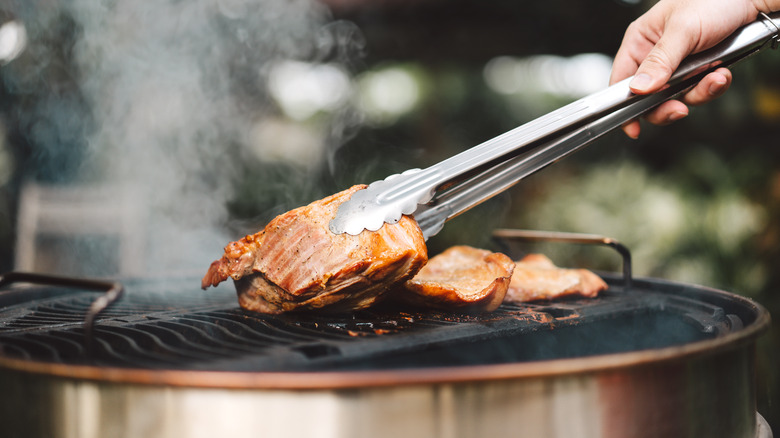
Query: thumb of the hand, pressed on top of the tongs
659 64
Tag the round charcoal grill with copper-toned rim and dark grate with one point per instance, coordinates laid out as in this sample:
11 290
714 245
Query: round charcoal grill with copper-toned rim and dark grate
648 358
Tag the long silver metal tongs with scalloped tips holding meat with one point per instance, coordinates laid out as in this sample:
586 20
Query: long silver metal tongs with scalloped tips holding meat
447 189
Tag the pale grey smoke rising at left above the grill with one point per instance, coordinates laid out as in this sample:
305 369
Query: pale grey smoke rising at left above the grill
175 89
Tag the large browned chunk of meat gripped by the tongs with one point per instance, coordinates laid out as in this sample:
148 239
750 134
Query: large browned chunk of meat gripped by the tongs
297 263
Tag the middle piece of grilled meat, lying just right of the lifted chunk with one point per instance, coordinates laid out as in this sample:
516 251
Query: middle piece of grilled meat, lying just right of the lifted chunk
460 278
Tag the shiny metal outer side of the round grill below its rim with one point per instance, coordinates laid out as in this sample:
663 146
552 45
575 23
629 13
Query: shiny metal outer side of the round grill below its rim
711 395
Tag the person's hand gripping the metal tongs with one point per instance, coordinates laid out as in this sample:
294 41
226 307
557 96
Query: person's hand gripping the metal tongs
656 43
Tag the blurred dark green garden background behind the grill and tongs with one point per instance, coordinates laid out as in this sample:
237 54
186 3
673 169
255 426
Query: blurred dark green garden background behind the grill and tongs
297 100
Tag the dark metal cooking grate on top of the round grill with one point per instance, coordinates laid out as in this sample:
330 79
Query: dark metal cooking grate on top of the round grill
171 325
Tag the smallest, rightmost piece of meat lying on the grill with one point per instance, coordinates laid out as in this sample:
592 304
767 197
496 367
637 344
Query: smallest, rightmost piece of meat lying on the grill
537 278
